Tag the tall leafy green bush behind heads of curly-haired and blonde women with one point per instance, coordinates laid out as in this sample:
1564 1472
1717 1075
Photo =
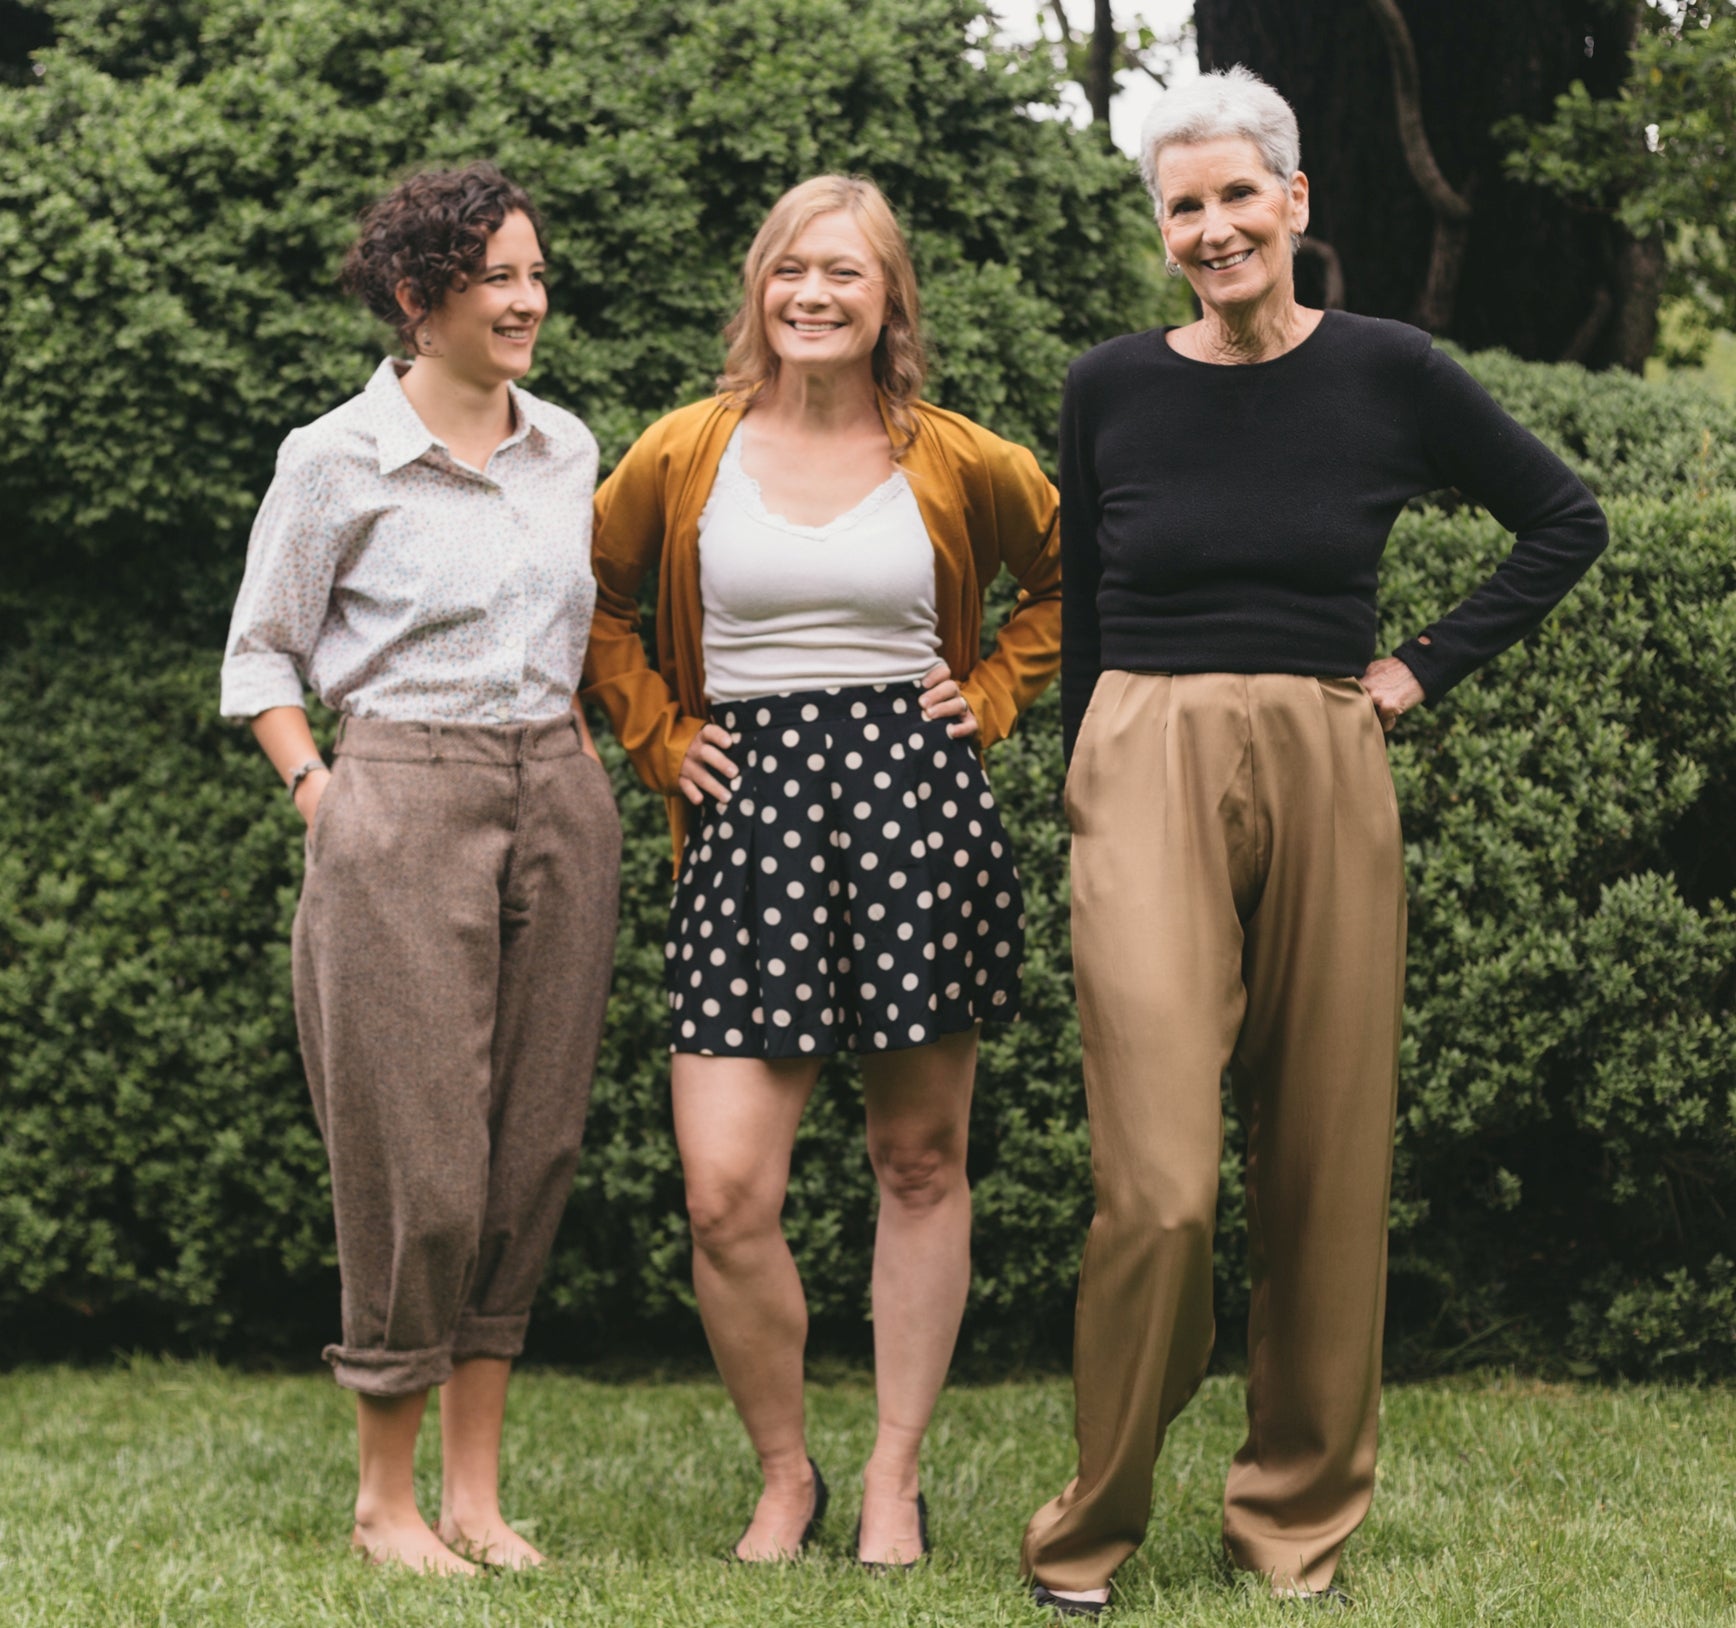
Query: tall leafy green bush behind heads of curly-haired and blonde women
178 192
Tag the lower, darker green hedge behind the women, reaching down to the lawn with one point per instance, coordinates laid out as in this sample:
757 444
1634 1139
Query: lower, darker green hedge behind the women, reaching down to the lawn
1567 1171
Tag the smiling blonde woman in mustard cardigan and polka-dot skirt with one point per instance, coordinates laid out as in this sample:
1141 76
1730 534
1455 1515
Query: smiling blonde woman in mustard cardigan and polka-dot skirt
845 884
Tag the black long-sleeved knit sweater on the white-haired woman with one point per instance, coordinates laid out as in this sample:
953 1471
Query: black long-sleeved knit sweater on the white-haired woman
1232 520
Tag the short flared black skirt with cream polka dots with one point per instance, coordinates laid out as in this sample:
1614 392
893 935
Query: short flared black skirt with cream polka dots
857 893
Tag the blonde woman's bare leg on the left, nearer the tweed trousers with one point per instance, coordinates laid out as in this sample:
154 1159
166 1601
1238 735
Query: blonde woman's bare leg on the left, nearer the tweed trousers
735 1126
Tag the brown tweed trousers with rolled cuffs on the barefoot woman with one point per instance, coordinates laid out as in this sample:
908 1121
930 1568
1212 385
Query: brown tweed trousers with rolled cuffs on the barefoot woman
452 961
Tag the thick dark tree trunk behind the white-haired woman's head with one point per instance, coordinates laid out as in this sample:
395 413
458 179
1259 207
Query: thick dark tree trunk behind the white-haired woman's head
1529 266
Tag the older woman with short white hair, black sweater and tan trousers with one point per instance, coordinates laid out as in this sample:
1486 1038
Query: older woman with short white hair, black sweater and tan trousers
1239 893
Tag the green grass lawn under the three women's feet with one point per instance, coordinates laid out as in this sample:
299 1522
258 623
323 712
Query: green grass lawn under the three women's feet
185 1495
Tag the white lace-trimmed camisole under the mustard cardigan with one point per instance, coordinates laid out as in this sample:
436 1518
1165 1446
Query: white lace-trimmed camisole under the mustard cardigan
813 607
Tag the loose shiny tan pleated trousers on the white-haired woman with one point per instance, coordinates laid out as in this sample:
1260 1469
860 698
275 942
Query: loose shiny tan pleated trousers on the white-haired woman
1239 902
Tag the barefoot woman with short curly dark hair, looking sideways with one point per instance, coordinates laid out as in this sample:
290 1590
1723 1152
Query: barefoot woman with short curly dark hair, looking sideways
423 563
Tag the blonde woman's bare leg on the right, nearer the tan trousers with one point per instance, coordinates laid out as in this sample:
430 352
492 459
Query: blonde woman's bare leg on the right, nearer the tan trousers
919 1126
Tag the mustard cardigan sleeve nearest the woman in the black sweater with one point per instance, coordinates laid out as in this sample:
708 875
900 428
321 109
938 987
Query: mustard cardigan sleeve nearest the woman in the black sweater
1025 513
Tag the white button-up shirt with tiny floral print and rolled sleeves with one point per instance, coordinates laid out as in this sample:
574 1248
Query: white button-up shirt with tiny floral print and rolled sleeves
402 584
